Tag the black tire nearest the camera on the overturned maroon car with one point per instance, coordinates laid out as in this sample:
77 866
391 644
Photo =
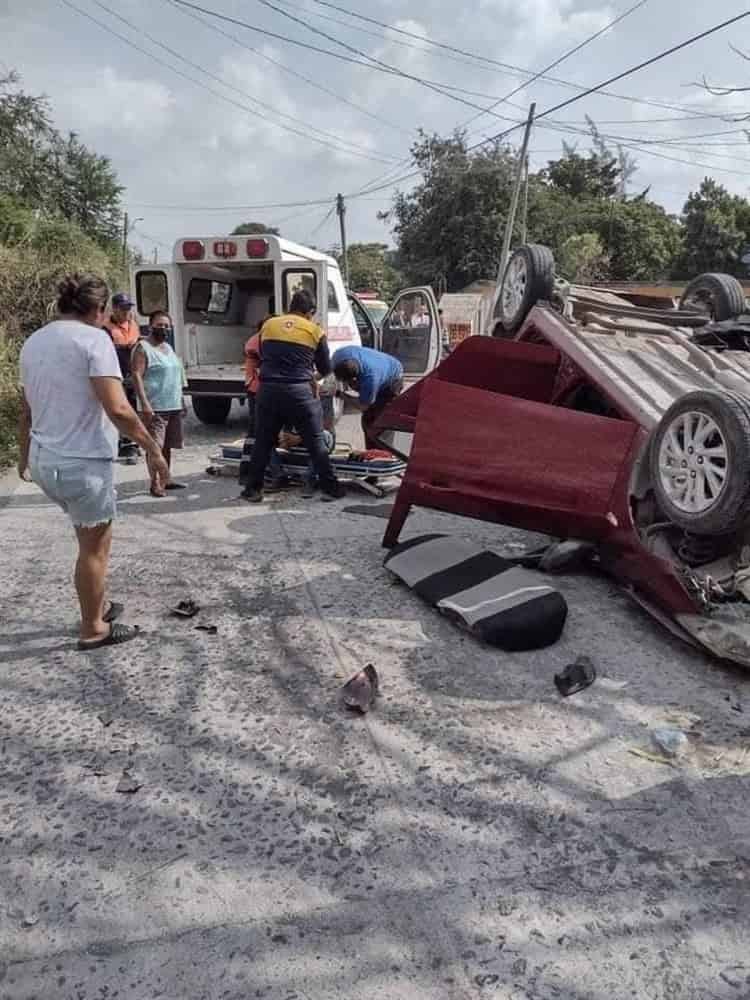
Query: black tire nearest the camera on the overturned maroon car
728 508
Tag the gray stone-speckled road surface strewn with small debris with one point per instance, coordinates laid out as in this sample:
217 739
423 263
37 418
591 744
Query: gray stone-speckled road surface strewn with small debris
475 836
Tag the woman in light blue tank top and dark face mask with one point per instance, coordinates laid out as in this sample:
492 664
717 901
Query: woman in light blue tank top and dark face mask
159 379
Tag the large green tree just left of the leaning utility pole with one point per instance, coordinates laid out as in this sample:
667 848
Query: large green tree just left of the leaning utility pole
449 228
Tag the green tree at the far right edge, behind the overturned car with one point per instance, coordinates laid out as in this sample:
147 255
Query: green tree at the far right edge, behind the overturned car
716 229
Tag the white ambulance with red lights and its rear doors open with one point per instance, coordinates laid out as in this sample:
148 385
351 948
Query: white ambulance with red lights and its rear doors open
218 288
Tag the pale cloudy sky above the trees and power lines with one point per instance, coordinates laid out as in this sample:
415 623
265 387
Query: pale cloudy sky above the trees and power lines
233 117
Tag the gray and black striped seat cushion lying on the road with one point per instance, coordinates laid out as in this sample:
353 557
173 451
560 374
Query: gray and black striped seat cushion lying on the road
503 604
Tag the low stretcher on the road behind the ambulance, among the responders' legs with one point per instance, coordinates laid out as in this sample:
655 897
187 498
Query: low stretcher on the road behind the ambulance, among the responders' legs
376 476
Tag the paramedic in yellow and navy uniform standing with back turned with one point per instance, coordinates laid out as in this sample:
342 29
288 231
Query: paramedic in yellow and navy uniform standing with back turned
291 347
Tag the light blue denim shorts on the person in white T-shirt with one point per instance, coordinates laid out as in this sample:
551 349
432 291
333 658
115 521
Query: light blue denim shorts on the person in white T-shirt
83 487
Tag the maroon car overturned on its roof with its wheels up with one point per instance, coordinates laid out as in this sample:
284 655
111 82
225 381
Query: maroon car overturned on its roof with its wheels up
593 419
